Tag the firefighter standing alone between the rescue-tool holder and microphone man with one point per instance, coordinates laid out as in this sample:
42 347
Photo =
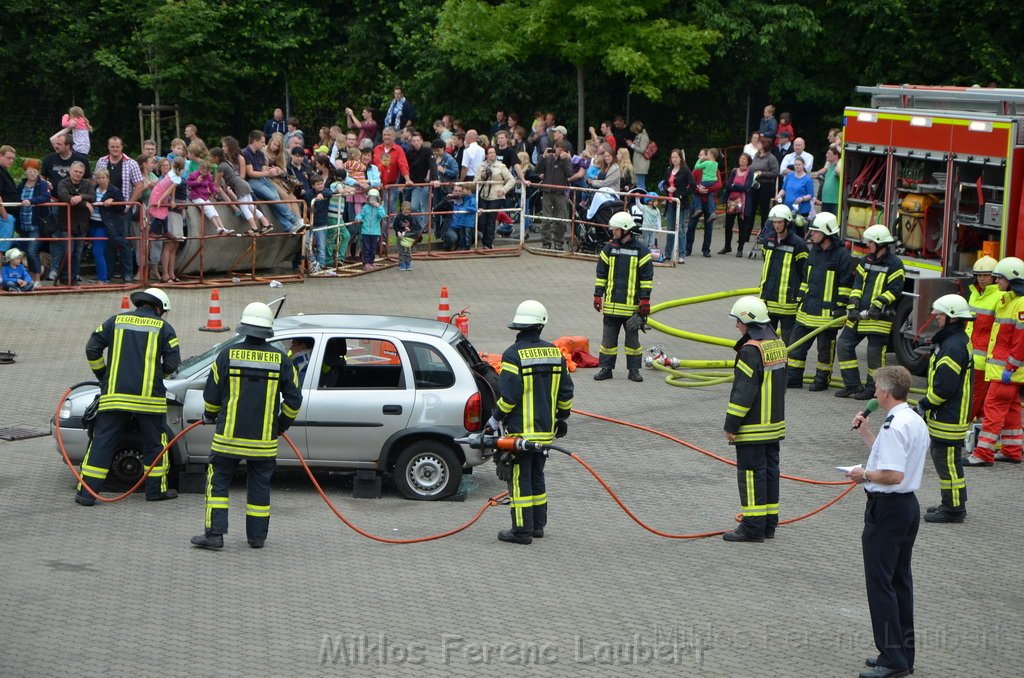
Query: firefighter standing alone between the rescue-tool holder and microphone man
755 420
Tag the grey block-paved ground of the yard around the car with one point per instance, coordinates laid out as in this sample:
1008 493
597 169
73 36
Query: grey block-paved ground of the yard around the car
117 590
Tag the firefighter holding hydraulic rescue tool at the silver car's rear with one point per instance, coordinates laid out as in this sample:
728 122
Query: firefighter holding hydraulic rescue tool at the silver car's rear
535 400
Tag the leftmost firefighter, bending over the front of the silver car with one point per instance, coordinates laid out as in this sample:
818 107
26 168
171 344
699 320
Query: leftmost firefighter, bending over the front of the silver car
142 351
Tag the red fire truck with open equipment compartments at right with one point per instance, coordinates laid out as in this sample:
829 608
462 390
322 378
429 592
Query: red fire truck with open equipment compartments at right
943 168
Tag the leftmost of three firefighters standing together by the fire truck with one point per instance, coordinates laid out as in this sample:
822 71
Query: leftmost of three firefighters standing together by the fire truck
783 272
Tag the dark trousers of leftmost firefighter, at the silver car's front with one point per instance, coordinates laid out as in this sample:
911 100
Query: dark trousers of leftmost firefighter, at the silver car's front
111 426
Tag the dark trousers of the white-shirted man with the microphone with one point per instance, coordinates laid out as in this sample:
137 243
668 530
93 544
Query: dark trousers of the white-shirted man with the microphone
890 530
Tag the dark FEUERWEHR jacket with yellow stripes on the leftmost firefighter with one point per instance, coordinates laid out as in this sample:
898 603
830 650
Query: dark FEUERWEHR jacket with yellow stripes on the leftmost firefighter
143 350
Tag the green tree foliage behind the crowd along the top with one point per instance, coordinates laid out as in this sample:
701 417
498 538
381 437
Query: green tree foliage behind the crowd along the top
689 70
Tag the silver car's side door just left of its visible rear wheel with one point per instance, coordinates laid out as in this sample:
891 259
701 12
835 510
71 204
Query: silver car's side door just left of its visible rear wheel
363 396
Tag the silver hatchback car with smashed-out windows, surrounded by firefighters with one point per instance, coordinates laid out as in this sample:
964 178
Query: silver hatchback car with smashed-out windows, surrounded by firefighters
380 394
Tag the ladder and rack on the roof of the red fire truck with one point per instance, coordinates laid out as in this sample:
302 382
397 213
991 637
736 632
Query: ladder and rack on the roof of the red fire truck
994 101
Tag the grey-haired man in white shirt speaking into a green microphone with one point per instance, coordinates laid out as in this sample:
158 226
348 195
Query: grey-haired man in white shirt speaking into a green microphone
891 519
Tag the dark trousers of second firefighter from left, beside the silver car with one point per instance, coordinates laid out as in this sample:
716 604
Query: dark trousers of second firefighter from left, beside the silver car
220 474
